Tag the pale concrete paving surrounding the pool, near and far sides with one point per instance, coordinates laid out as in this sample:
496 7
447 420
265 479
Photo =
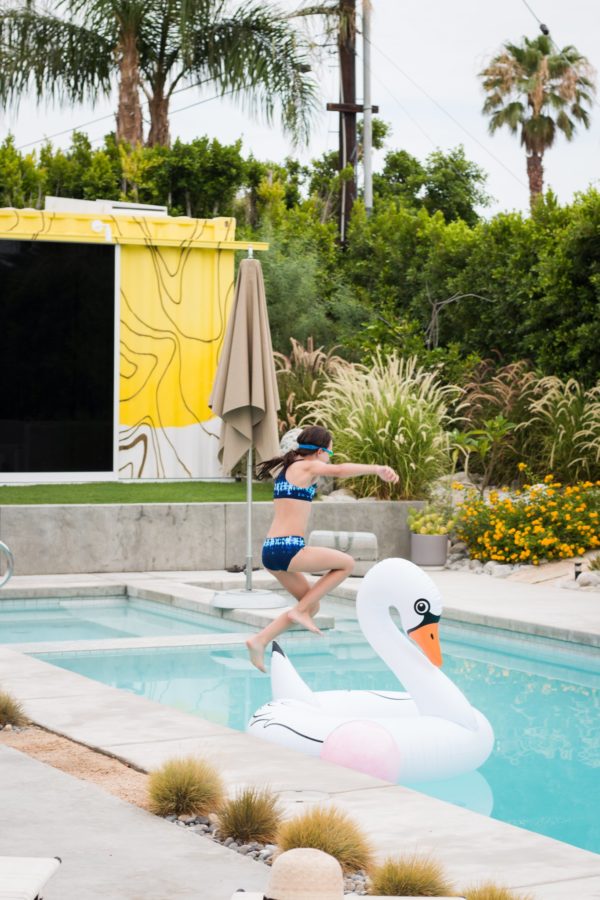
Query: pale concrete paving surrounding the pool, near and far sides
469 846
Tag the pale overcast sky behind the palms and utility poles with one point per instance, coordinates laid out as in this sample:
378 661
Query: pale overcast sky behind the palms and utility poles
420 48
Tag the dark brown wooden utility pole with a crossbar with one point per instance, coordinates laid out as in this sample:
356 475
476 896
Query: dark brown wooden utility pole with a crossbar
347 108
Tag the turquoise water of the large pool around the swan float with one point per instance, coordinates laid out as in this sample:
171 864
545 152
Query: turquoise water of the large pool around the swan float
542 698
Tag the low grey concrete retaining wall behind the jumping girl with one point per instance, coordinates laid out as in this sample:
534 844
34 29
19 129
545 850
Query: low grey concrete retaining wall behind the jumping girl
171 537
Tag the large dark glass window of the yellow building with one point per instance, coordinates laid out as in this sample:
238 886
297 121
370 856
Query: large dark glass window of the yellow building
56 357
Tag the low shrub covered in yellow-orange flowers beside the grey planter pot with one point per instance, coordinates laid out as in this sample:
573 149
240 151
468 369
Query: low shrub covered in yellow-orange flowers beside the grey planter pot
543 521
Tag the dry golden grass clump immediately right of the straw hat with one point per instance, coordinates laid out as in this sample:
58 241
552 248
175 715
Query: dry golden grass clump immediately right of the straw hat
414 876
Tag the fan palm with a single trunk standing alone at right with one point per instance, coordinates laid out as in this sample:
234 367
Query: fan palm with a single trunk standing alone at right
540 91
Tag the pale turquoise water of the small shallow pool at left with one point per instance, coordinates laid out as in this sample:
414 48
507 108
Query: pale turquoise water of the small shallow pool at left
33 621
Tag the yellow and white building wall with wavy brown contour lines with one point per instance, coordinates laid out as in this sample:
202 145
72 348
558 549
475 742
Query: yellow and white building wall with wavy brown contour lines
175 287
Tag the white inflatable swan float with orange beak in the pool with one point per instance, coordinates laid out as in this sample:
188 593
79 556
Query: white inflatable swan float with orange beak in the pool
429 732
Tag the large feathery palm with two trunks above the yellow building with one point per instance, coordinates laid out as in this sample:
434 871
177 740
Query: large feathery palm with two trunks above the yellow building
153 47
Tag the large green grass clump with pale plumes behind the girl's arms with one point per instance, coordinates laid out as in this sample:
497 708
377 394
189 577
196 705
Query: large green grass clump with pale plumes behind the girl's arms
393 413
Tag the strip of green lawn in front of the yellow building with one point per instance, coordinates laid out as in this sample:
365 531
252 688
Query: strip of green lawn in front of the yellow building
115 492
